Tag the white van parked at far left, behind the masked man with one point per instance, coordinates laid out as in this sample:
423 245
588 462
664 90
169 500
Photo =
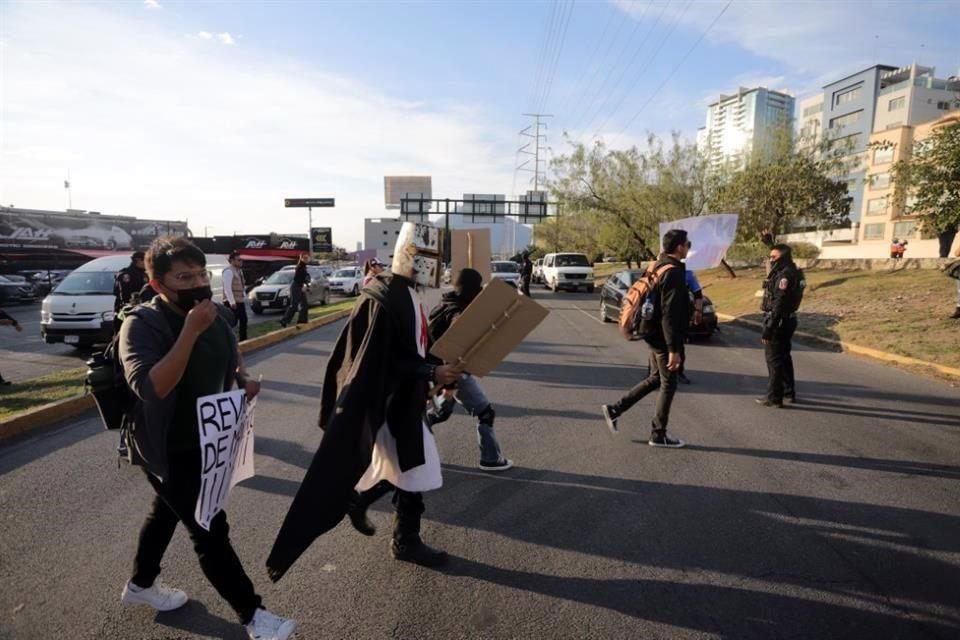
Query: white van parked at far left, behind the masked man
79 311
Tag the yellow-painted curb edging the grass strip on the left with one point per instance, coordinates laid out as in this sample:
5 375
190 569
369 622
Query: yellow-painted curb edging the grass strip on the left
55 412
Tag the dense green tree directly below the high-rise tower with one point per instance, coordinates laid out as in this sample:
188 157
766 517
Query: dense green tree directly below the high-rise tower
787 186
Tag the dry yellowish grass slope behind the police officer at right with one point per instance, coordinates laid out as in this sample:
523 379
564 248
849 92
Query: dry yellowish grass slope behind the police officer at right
903 312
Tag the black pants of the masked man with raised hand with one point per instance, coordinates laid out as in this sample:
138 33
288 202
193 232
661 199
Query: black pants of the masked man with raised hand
176 501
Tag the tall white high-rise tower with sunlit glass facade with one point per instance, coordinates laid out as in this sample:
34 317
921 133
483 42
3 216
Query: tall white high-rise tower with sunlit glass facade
743 125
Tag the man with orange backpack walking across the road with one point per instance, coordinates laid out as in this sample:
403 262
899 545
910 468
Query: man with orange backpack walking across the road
662 318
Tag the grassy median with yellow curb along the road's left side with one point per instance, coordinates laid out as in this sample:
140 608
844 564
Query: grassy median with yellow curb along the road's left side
51 413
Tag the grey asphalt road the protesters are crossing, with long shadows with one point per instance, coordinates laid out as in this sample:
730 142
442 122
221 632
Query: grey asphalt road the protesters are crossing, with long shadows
836 518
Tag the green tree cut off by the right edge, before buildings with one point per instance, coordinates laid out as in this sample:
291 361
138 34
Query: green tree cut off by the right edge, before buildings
932 176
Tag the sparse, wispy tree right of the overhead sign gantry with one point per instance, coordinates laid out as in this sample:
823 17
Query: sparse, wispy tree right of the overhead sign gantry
613 201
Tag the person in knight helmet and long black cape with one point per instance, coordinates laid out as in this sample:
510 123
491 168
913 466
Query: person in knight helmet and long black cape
372 411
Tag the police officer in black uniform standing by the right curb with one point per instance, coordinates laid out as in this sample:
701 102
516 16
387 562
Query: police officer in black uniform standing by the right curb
782 293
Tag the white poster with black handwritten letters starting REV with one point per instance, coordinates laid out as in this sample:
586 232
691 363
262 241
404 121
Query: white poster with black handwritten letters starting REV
226 443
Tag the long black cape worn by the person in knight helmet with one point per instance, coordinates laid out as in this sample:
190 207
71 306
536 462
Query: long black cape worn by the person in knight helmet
374 375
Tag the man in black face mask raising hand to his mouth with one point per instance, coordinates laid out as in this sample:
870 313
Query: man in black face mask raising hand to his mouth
175 349
